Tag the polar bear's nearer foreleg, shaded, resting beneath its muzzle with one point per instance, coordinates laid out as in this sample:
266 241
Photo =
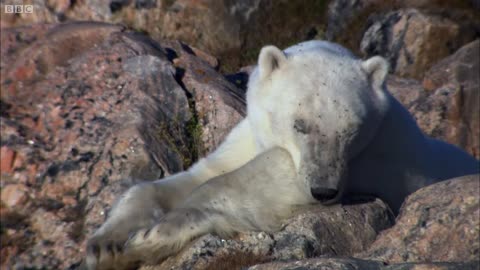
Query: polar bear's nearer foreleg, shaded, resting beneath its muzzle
257 196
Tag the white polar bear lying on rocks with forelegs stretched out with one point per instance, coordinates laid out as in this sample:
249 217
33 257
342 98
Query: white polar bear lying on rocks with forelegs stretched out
320 125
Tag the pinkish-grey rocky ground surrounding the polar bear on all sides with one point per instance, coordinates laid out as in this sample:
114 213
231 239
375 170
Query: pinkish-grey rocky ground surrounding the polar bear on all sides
83 104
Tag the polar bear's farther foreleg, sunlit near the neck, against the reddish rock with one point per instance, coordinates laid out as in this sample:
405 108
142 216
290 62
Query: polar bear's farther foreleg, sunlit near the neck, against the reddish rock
145 204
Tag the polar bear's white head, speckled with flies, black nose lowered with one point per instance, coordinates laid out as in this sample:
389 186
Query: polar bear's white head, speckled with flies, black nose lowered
320 103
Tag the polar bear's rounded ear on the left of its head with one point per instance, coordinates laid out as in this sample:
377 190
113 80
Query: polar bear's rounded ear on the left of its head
270 59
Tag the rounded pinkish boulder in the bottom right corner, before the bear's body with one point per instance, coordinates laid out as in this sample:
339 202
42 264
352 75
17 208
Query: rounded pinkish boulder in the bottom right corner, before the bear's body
436 223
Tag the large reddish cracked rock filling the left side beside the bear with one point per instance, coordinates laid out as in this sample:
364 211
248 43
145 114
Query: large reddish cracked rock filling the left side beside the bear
88 109
